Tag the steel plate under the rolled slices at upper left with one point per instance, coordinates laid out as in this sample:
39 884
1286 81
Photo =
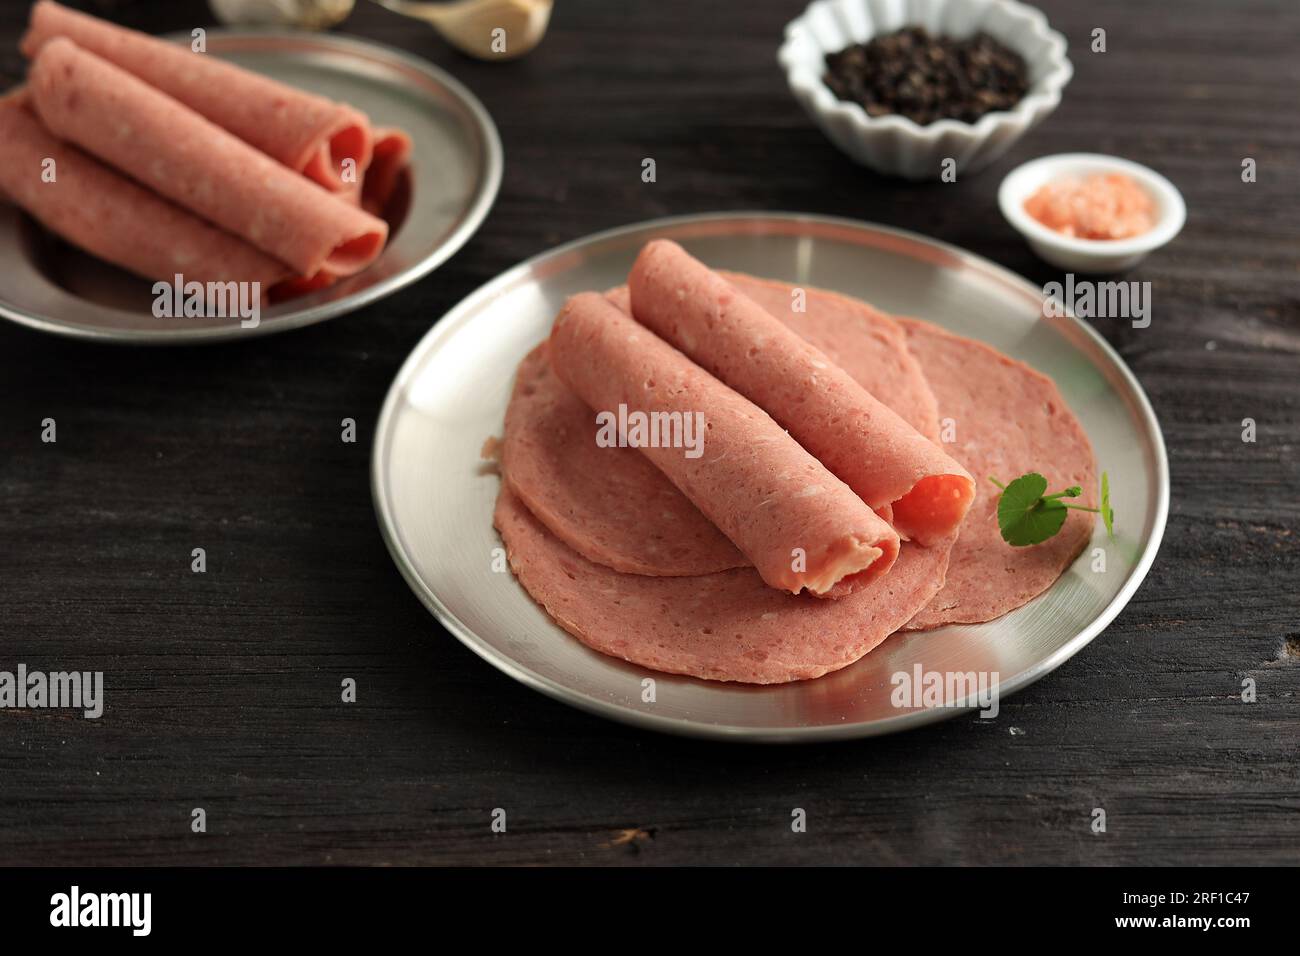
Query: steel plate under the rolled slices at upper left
454 176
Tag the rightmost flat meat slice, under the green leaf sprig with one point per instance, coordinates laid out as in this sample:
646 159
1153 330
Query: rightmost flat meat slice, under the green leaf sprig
1011 421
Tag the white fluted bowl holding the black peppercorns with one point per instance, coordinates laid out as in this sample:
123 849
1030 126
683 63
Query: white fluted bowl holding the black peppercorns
895 145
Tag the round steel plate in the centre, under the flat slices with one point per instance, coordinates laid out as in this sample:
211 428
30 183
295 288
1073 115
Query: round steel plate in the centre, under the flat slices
435 499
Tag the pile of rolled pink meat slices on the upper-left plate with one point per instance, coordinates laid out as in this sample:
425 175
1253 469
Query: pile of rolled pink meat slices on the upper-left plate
170 162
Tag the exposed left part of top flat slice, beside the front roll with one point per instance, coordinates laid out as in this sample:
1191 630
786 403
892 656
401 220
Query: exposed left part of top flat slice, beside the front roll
608 504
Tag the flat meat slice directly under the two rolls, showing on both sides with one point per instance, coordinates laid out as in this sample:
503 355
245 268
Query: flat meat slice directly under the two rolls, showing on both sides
597 500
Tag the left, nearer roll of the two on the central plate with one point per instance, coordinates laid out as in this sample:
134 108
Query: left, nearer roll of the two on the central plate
800 526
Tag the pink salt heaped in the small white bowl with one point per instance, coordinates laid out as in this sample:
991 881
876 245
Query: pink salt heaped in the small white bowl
1110 206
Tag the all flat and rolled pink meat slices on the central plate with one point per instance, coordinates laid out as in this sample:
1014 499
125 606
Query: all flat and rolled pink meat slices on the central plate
826 507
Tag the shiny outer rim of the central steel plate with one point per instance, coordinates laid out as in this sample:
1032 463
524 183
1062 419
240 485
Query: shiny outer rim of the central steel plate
450 322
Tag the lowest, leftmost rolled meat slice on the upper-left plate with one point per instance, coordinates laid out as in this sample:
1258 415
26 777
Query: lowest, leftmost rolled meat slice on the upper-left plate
106 214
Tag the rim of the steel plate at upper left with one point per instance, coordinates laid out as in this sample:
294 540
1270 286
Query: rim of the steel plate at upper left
484 200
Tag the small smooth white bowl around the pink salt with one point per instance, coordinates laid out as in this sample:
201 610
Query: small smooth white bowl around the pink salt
1090 256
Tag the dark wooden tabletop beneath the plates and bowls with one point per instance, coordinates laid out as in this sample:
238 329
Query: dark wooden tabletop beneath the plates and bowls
223 690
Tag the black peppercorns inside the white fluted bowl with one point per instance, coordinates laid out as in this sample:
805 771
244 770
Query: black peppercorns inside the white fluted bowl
928 79
